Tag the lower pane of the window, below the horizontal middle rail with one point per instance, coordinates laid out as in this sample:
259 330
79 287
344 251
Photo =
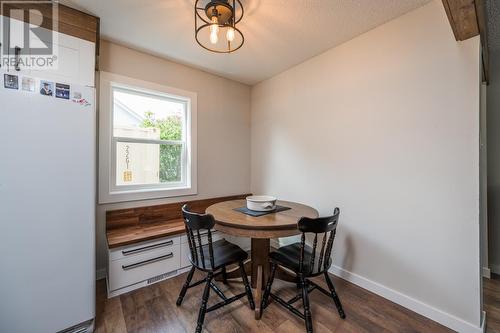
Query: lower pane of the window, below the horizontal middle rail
146 163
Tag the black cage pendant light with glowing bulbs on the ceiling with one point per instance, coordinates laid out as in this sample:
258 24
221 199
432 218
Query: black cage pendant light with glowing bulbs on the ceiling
215 25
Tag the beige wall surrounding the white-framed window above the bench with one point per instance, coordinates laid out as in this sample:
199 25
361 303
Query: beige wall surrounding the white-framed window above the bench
223 126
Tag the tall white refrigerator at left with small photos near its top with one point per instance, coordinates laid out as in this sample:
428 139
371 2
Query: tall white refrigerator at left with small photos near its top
47 210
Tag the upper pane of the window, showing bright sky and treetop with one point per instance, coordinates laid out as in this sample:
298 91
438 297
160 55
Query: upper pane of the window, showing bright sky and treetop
140 115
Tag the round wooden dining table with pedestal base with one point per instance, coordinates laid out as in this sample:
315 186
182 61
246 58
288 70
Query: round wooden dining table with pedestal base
260 229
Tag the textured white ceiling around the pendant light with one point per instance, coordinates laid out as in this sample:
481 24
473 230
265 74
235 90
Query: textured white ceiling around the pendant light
279 33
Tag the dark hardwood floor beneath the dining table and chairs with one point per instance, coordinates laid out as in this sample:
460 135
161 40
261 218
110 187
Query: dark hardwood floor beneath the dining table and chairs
152 309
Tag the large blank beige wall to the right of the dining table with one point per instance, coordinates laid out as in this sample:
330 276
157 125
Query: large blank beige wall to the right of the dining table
385 126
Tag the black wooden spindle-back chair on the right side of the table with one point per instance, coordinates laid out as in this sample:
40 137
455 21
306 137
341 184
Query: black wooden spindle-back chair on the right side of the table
305 262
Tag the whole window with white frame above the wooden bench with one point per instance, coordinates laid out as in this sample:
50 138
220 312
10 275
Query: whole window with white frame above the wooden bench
150 136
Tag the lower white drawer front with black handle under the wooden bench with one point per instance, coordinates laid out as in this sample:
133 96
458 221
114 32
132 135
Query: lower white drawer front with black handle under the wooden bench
127 271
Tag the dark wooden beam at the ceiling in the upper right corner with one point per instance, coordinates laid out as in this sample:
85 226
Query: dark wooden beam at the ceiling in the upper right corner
468 19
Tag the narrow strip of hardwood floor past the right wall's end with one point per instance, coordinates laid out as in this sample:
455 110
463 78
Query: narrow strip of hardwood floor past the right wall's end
491 299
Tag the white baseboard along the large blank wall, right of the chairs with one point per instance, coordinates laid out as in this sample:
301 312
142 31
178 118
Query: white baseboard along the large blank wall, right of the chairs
419 307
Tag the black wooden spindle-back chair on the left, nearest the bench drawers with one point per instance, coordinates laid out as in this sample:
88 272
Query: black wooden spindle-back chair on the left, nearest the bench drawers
212 258
